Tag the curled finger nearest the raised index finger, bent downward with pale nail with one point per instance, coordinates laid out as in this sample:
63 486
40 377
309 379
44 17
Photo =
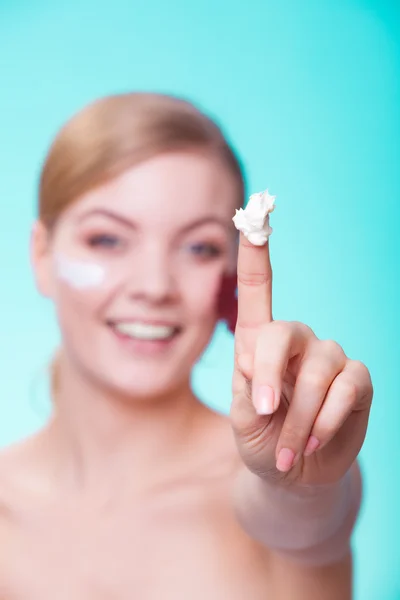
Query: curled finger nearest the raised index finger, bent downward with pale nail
278 342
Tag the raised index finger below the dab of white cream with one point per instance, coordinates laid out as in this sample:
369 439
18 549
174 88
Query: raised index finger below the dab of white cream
254 284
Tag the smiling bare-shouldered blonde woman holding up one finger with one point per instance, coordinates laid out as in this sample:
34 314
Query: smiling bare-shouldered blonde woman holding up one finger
134 489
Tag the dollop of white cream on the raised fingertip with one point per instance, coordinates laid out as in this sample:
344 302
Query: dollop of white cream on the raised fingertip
253 221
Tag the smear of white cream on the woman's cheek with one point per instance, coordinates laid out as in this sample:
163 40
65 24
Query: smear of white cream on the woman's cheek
79 274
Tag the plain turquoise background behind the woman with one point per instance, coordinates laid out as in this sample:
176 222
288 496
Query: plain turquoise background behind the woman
309 93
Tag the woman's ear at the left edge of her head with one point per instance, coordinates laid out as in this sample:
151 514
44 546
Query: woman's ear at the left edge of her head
40 252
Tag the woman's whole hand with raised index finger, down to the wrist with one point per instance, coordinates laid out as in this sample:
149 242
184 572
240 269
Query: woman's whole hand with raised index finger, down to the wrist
300 406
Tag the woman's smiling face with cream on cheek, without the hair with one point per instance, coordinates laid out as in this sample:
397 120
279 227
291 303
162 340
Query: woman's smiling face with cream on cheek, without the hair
135 267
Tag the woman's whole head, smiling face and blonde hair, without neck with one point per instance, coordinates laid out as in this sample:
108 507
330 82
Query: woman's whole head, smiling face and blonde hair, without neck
157 185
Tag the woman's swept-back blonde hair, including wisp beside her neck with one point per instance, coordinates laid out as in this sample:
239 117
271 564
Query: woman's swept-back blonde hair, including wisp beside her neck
115 133
